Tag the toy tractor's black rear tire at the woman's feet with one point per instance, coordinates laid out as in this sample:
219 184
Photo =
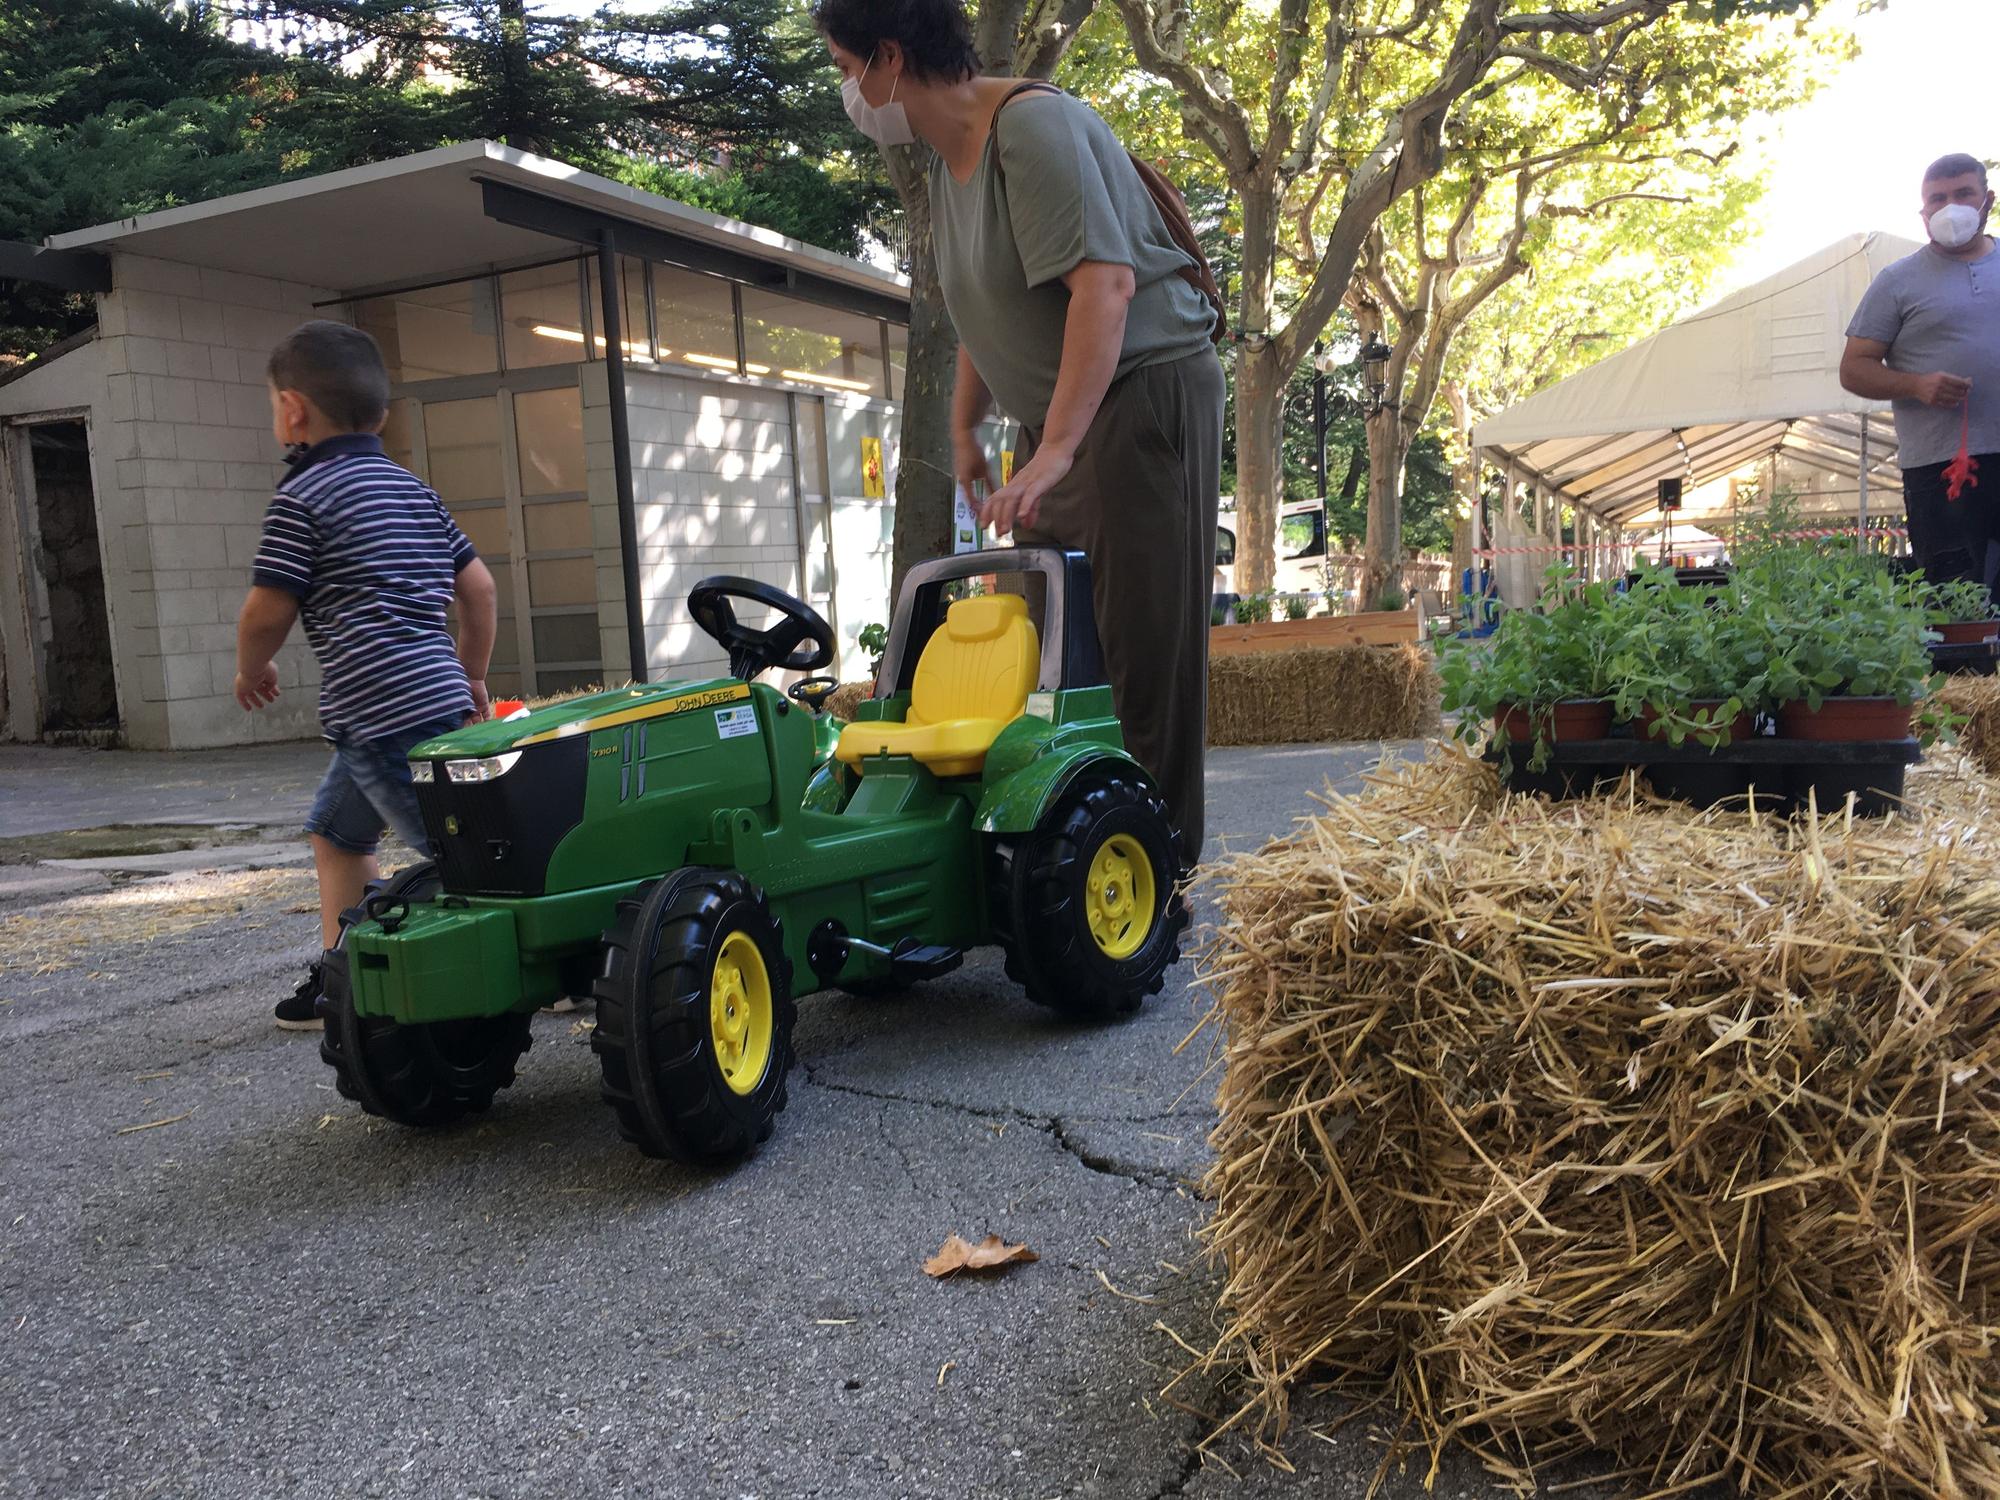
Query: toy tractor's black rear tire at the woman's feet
1041 907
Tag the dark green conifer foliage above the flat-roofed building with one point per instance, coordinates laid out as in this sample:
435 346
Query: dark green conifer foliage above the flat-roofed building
139 105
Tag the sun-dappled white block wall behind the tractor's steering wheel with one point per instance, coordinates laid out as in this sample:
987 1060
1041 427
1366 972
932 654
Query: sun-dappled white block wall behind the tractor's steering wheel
713 493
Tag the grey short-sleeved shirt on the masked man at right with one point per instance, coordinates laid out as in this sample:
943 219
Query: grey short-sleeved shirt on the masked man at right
1939 315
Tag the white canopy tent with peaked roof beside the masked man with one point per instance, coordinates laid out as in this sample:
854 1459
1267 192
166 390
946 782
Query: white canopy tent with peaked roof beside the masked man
1751 379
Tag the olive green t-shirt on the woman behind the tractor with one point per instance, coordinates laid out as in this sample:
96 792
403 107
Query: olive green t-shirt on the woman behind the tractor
1063 193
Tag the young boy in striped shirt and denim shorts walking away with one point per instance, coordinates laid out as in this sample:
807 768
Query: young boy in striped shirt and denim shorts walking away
369 557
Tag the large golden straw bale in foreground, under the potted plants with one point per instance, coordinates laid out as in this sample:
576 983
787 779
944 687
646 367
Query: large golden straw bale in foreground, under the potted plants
1625 1127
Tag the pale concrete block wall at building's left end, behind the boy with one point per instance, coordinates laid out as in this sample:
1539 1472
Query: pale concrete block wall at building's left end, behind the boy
185 445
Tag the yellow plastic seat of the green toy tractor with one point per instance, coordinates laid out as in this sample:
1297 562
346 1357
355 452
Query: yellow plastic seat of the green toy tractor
971 683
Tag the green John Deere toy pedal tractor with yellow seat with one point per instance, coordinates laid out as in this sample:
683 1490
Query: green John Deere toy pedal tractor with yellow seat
699 855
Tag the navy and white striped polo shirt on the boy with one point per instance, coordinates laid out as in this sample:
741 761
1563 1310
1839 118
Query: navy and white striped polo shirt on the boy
373 559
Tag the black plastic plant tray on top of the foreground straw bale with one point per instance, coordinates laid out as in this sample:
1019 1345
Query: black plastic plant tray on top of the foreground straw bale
1783 773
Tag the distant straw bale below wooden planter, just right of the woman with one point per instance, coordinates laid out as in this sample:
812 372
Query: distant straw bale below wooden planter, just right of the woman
1323 693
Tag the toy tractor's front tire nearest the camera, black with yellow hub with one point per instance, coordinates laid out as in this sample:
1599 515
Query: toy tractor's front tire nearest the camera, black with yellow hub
665 1067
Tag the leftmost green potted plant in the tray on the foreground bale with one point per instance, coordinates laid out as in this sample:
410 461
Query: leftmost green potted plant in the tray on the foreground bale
1543 677
